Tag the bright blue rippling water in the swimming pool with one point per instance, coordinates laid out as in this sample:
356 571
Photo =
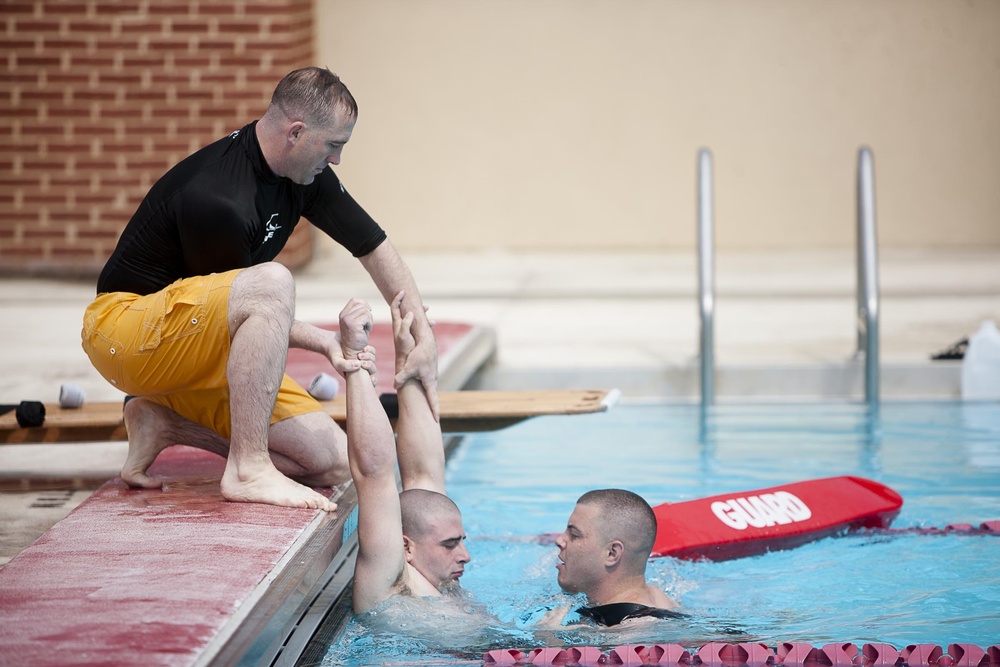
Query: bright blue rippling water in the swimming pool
518 483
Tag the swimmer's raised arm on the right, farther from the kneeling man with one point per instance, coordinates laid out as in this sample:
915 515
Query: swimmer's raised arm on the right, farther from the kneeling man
420 445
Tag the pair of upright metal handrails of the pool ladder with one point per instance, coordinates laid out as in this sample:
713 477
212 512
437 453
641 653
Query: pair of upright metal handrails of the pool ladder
867 270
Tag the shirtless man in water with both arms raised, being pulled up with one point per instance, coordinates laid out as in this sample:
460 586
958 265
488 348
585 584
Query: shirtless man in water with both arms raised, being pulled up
410 543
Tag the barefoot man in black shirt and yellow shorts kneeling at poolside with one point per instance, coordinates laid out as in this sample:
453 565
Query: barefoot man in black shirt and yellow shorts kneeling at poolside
194 318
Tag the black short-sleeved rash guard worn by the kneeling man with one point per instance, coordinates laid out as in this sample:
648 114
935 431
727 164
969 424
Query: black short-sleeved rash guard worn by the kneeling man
223 208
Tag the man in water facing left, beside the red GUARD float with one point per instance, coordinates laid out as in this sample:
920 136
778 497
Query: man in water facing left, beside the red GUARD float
603 554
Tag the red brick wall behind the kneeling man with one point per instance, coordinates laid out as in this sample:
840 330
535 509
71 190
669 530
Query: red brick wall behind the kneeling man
99 98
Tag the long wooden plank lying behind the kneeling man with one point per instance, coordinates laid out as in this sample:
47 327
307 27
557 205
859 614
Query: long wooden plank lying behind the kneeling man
461 412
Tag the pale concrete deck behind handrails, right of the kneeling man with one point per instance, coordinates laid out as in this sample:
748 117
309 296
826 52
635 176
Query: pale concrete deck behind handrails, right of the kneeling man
785 321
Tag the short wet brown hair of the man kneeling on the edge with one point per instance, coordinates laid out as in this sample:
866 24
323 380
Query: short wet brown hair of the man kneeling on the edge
313 94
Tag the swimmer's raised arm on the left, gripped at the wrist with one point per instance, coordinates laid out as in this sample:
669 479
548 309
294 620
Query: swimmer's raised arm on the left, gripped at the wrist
372 456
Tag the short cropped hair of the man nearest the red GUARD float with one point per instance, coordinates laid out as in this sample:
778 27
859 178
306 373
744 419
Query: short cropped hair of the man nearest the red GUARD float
624 516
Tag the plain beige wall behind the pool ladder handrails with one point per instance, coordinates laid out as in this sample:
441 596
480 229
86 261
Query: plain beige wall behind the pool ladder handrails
574 124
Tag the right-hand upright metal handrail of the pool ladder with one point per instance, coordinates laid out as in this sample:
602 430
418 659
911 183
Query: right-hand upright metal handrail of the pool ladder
867 289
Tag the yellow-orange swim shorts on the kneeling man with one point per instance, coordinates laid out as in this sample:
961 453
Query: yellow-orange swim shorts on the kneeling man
172 347
